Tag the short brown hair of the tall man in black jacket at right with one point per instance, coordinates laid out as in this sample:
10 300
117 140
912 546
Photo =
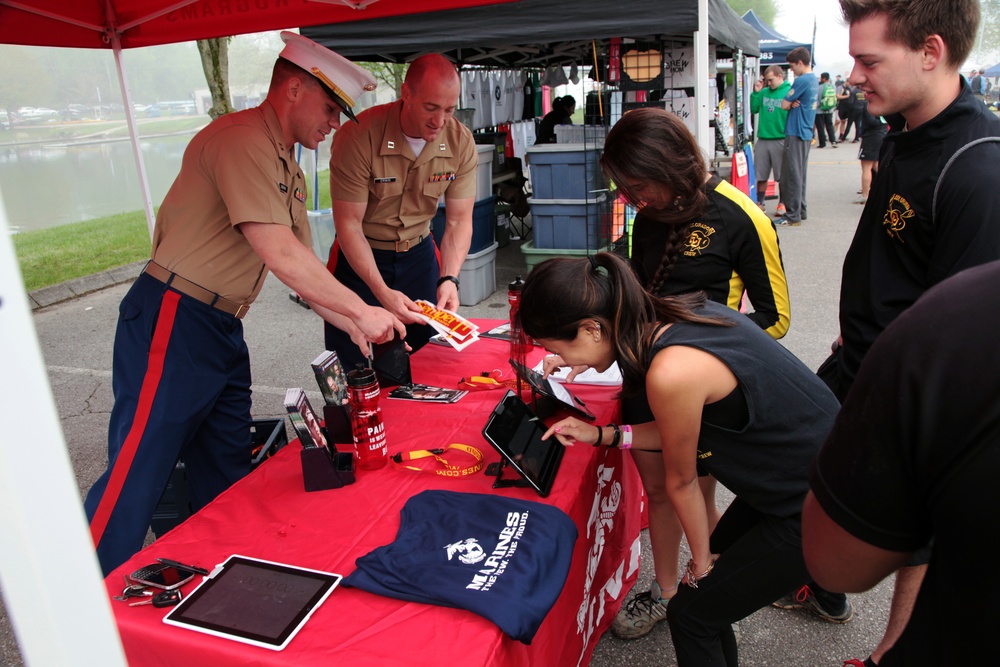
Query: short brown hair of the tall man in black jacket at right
911 22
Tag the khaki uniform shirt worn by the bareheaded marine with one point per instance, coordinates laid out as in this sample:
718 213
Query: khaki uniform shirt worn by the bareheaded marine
371 162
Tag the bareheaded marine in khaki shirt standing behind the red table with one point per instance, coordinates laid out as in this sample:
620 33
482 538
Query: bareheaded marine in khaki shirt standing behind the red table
387 175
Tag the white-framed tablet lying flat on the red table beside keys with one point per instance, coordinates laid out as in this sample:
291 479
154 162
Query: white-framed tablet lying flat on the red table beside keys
254 601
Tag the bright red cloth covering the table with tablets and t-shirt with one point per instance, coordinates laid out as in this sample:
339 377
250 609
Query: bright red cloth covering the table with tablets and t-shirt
268 515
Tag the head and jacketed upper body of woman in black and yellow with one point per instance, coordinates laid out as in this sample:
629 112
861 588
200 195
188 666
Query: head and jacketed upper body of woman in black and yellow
693 231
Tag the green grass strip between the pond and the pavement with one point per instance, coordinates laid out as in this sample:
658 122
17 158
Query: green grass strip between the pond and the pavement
57 254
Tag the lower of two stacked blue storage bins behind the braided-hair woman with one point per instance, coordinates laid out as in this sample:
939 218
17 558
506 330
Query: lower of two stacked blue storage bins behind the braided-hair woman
569 223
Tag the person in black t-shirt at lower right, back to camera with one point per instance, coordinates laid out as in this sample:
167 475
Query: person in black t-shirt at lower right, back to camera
912 456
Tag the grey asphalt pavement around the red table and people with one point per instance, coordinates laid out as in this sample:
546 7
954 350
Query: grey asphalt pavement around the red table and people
75 323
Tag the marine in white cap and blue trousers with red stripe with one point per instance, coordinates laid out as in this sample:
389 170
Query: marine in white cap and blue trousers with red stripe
181 367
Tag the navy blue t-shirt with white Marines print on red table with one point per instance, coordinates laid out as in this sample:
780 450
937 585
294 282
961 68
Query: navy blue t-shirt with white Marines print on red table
502 558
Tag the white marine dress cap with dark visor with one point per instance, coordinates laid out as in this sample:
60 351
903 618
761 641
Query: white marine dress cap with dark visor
341 78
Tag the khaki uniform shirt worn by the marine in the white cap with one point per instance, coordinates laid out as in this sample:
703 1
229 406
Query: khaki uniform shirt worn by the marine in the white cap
235 170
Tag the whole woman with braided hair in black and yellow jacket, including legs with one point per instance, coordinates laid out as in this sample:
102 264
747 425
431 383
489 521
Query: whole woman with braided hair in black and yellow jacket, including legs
693 232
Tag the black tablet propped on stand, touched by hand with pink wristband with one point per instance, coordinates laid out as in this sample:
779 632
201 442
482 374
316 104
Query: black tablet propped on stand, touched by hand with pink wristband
515 432
